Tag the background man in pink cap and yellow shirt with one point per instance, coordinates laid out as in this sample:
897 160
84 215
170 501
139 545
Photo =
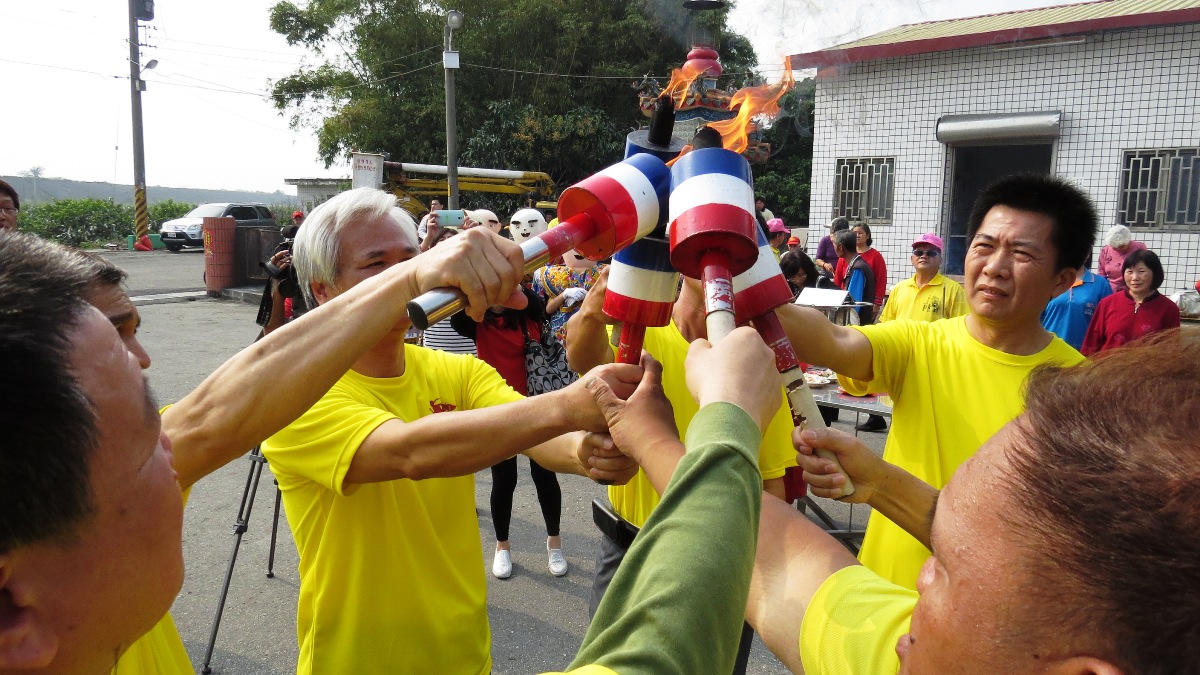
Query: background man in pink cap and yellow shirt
926 296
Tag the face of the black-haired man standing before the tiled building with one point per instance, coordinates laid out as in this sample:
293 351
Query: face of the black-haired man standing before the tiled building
1011 267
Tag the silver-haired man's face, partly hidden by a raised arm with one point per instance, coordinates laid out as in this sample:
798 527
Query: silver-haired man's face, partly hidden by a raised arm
365 249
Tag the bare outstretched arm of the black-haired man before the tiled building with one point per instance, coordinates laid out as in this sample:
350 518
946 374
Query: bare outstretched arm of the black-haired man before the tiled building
820 342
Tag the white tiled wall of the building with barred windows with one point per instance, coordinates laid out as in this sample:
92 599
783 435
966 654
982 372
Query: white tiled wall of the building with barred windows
1119 91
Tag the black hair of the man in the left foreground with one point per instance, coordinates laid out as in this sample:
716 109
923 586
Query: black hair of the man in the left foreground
50 423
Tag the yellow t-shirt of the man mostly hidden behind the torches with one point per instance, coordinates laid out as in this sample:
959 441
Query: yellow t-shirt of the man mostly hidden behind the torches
635 500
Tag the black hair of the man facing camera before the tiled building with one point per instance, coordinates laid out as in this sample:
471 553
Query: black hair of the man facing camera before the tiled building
1070 210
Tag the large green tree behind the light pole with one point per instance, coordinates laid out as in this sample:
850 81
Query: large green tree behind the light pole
379 81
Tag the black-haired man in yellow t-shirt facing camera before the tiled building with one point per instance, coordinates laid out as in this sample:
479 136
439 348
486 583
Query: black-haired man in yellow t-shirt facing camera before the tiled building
956 383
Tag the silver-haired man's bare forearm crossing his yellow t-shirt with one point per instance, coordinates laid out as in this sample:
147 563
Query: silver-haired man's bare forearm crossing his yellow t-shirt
461 443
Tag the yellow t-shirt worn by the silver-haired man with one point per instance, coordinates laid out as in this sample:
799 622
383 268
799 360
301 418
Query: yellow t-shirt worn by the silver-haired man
392 575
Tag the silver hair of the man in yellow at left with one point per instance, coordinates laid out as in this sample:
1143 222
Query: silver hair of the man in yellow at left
317 244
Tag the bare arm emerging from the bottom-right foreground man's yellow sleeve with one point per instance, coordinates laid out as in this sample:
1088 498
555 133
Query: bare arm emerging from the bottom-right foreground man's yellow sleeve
794 559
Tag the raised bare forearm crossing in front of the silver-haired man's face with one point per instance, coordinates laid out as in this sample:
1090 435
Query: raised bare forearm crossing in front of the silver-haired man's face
271 384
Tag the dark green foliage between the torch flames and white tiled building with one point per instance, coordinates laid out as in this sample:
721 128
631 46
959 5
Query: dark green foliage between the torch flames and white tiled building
784 182
